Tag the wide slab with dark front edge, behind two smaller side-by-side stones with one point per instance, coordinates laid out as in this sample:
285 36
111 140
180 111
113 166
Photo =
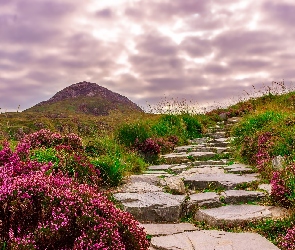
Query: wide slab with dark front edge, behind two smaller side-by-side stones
227 181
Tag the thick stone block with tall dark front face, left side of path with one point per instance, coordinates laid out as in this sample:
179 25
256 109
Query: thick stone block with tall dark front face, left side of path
152 207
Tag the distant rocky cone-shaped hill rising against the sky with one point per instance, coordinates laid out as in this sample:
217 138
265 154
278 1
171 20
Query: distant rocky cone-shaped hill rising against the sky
87 98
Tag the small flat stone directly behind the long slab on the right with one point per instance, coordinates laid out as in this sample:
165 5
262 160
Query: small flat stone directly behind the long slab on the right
241 196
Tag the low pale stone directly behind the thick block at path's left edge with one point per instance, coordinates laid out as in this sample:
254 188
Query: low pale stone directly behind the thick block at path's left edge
139 187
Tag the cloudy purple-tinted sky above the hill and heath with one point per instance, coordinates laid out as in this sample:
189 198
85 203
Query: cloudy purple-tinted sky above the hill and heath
202 51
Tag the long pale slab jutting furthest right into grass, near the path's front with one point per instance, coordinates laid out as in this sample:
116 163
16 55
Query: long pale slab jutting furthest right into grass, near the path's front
235 214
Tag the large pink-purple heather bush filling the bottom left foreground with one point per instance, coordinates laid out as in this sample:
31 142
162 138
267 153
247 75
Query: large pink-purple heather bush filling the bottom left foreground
42 210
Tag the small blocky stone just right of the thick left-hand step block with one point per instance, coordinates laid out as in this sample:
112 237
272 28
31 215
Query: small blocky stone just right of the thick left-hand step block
208 200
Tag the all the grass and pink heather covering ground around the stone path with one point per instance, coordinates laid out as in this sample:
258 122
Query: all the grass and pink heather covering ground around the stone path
55 172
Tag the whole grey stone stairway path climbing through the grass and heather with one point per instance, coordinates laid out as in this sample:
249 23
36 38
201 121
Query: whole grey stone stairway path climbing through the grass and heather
192 184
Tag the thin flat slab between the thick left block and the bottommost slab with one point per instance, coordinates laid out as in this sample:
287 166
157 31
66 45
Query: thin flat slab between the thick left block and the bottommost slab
166 229
